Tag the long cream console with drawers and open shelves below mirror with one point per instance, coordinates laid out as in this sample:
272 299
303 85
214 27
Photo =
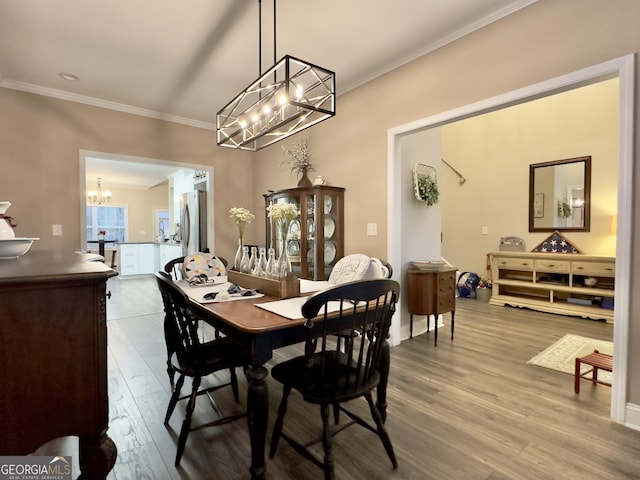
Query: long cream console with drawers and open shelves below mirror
567 284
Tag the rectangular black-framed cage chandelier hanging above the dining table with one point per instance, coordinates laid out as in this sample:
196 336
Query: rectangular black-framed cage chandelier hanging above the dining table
289 97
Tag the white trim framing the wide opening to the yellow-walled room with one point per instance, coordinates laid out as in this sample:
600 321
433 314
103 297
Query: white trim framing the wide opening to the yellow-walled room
624 69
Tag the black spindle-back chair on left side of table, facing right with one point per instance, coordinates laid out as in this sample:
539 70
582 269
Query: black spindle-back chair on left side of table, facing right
192 358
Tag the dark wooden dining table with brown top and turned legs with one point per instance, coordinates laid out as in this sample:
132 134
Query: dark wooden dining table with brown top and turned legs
261 331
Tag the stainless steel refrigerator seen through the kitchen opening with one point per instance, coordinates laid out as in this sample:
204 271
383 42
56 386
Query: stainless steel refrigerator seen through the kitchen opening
193 222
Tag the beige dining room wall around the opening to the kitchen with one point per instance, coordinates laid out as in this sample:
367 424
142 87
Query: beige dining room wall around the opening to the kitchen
39 152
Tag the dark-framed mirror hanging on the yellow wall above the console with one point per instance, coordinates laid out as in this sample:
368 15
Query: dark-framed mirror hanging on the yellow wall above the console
560 195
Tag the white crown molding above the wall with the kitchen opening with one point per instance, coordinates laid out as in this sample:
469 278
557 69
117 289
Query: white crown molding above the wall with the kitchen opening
97 102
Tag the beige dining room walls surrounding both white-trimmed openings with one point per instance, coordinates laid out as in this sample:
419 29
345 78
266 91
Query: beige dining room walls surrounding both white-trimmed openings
40 137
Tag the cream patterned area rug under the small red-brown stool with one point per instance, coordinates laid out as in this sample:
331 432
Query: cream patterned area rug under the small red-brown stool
561 355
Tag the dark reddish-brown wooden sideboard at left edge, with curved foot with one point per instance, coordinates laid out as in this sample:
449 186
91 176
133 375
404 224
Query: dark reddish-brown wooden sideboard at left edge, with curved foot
53 356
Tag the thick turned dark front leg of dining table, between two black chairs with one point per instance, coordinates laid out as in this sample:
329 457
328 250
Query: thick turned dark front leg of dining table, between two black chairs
257 416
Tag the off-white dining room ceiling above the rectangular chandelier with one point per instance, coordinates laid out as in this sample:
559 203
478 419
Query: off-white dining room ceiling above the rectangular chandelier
184 61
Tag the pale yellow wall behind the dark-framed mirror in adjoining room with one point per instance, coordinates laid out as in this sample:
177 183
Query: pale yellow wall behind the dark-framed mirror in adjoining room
494 151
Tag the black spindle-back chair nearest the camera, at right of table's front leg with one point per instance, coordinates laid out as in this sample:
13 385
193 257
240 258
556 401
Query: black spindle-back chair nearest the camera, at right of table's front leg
330 375
